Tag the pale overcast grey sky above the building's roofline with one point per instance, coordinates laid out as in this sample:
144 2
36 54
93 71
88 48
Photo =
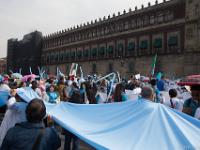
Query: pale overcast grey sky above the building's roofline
19 17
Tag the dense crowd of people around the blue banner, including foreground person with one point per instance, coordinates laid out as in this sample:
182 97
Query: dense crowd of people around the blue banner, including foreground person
27 119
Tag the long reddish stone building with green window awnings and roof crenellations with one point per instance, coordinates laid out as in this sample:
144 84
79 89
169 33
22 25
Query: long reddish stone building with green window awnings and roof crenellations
126 42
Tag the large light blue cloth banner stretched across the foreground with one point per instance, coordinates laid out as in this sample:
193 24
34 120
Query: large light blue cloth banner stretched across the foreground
139 124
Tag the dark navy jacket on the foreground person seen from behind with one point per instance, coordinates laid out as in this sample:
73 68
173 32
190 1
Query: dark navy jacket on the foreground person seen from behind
24 135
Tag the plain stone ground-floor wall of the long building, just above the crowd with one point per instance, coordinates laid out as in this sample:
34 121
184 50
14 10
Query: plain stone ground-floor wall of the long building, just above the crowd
172 65
